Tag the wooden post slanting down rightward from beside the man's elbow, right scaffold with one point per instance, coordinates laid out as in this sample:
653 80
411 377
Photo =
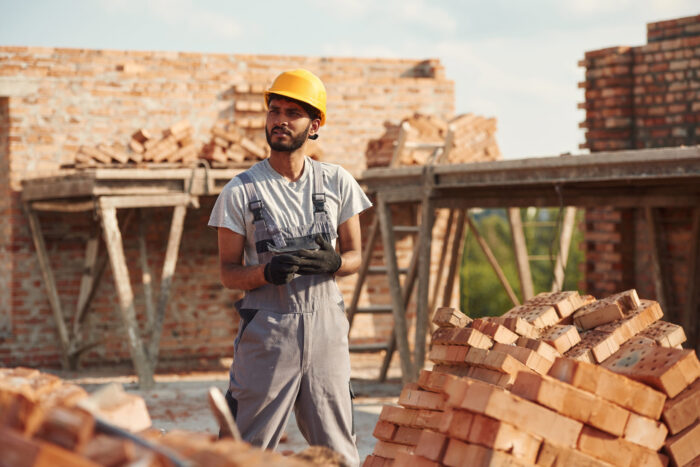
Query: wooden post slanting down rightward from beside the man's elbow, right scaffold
398 306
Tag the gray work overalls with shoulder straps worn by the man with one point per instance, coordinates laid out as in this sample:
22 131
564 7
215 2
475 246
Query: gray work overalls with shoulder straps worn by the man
291 350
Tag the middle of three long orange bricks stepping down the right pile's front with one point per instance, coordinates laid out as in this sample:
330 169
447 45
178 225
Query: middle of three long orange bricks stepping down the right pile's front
572 402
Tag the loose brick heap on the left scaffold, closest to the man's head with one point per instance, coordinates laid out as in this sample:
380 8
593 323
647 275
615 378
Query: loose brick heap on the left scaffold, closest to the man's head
228 144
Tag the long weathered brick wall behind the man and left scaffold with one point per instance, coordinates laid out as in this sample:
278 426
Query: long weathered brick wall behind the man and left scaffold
54 100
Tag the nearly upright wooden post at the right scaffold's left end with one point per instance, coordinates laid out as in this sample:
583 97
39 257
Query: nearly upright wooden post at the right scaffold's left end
425 237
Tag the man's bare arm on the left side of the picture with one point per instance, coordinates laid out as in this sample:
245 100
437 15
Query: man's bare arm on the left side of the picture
233 274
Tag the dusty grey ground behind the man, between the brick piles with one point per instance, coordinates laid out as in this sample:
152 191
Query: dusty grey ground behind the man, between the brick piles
179 399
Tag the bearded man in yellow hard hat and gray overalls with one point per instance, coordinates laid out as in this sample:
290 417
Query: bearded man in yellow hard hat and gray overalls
277 225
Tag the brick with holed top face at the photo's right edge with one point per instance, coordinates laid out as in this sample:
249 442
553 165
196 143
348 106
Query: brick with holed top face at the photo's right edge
668 370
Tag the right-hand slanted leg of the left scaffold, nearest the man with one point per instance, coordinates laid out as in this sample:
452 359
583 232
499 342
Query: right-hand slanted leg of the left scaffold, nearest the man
166 280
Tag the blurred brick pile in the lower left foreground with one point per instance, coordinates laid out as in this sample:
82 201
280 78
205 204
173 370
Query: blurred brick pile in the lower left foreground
45 421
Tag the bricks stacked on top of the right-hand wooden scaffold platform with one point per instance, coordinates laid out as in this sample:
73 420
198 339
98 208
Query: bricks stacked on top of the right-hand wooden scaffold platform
474 139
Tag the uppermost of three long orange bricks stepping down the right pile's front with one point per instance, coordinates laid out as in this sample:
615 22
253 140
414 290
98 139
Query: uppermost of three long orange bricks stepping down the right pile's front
631 395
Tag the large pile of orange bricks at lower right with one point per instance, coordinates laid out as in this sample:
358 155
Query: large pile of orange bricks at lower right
533 387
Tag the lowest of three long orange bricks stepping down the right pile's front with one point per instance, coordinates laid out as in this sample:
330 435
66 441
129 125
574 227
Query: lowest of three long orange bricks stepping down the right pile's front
533 418
